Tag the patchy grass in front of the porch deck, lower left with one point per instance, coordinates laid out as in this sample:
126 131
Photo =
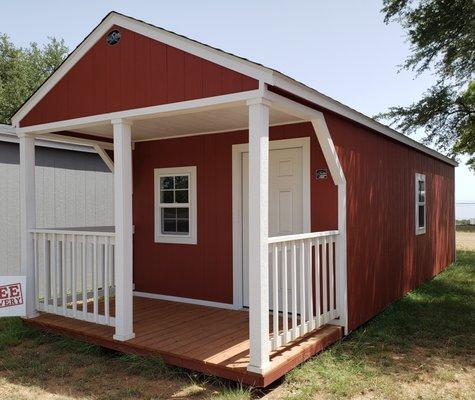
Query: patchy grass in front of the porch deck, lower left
38 365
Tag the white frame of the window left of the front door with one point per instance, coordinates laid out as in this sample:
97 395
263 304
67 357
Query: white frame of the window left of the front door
160 237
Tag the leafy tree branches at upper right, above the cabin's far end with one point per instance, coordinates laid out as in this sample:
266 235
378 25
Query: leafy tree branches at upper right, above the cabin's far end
441 34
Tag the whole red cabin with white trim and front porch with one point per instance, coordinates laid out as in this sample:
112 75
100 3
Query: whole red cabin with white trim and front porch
257 220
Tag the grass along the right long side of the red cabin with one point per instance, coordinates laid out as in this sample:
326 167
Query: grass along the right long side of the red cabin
421 347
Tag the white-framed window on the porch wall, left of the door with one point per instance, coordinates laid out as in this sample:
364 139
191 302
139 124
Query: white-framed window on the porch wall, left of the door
175 205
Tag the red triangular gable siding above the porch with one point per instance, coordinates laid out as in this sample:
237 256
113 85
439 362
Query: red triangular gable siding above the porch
136 72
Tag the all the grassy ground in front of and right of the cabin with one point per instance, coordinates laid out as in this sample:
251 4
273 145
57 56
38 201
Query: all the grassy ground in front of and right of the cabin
421 347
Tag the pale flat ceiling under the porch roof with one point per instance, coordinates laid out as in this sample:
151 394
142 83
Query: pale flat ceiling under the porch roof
218 120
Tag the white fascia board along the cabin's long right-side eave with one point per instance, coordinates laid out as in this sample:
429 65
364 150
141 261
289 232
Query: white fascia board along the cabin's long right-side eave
283 82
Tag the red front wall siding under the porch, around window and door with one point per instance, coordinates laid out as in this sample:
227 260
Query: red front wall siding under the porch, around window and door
204 271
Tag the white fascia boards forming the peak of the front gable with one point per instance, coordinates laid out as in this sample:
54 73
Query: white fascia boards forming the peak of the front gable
190 46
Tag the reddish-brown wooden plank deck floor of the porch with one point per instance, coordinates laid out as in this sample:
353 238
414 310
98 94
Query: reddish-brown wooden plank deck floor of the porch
205 339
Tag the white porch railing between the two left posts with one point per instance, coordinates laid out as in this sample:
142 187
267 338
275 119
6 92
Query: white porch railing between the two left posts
74 271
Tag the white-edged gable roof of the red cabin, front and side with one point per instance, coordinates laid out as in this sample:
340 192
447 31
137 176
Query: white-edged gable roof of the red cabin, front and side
239 64
